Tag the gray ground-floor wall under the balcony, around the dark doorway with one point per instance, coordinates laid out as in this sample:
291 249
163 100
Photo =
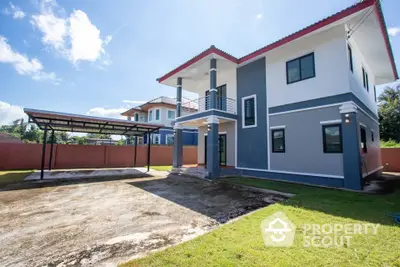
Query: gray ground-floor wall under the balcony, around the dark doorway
229 128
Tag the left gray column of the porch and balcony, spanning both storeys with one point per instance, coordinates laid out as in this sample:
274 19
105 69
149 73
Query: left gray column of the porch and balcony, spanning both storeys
178 133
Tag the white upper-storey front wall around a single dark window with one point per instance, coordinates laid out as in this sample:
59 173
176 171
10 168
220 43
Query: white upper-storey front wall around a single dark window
331 68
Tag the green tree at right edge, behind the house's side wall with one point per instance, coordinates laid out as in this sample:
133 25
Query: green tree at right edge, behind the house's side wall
389 113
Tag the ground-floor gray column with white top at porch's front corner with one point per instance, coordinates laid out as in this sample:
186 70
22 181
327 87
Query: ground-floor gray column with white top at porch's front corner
213 148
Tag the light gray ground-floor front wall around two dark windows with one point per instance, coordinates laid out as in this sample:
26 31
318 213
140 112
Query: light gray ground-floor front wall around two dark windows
304 143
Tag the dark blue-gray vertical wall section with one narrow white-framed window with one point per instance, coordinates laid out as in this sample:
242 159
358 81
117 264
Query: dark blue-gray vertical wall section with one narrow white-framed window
252 146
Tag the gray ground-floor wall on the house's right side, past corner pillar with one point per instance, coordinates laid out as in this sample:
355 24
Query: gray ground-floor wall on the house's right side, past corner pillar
372 158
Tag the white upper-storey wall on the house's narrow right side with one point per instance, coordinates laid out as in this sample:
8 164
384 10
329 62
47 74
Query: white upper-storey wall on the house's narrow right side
356 78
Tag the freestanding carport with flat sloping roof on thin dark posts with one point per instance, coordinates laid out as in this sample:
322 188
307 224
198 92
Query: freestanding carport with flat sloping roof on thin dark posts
67 122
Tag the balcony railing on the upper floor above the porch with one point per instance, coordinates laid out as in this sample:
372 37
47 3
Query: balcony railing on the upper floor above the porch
225 104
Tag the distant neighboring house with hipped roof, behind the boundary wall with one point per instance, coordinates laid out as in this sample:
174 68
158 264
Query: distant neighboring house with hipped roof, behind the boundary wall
162 110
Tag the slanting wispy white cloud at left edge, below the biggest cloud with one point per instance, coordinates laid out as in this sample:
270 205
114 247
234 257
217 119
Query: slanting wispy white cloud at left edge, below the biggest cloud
22 64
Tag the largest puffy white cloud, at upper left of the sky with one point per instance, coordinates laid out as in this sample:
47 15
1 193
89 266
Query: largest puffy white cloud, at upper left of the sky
74 36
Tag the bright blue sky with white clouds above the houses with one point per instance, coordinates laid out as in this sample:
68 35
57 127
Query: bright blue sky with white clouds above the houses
103 57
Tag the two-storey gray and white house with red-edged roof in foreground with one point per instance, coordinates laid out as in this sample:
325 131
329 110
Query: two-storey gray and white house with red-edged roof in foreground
301 109
